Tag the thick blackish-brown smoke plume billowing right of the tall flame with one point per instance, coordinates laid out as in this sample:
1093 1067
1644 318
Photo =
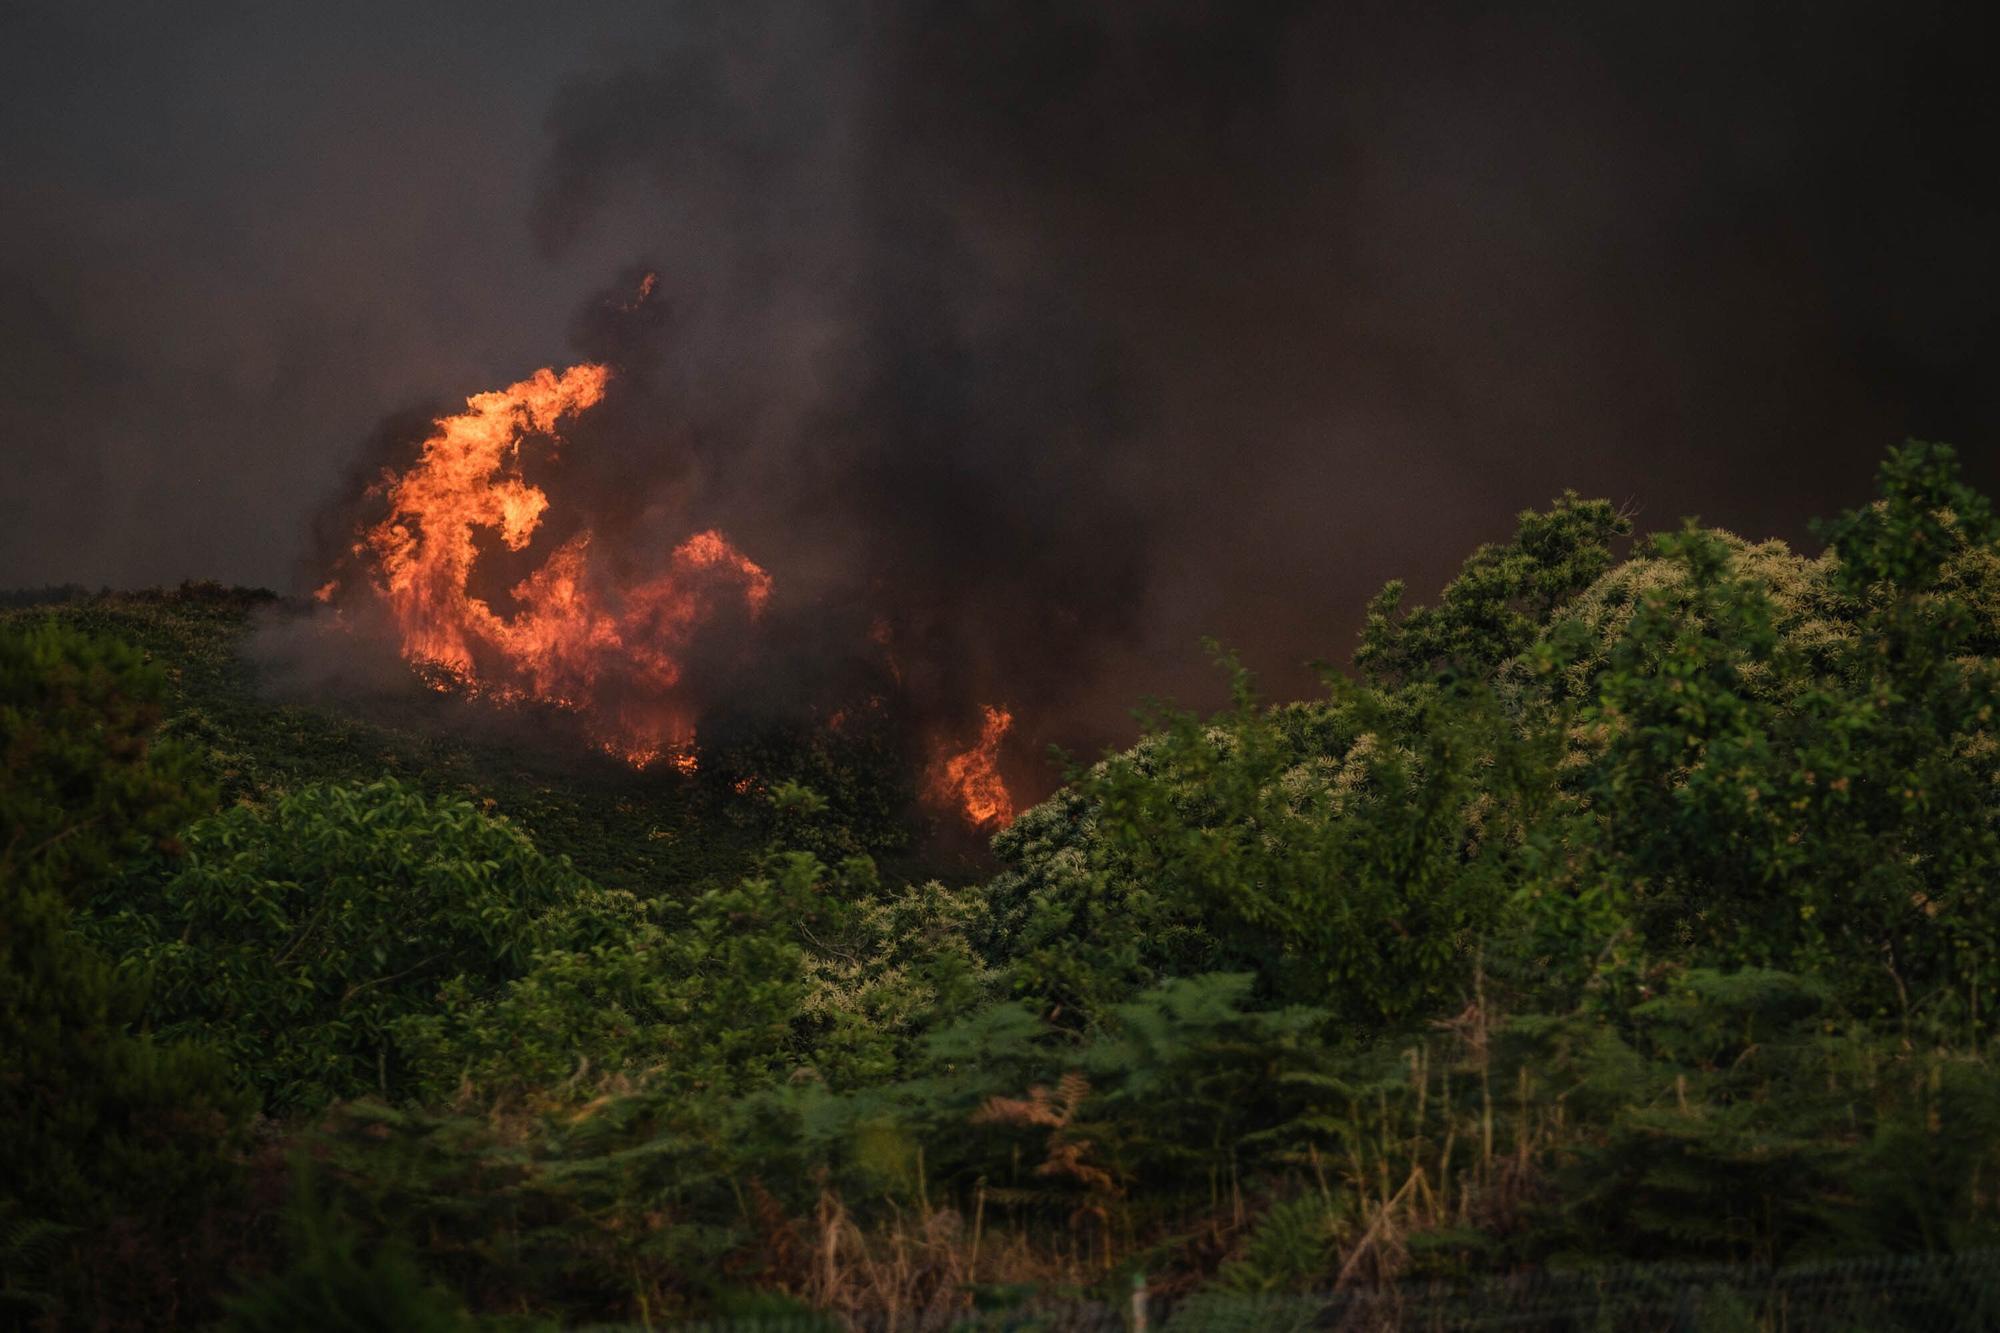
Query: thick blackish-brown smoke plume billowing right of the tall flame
1067 333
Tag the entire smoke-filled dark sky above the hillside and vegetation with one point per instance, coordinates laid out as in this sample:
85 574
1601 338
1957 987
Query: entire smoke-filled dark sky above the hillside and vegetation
1087 329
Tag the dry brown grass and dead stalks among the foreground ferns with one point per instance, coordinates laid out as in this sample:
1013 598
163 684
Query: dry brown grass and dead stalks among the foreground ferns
1419 1164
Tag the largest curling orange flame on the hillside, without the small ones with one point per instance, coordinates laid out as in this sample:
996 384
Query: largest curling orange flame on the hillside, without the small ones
607 649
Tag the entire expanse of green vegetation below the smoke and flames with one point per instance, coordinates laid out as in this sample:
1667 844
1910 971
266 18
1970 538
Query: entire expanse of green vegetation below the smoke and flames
1617 908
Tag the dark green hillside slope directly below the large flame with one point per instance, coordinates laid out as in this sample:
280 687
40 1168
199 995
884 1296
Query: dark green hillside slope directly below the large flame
257 734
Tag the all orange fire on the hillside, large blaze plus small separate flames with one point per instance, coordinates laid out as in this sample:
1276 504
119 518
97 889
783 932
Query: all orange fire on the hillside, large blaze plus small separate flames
497 587
